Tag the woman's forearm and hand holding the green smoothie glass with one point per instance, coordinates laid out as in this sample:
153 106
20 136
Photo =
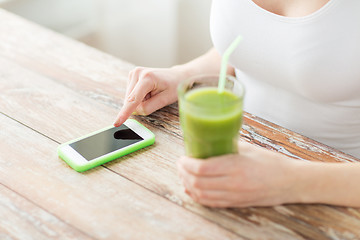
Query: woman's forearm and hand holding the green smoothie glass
260 177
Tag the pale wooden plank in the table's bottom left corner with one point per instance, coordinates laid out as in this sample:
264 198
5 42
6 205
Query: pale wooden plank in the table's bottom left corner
22 219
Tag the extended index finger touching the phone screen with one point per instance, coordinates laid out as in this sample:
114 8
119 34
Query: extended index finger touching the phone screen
135 98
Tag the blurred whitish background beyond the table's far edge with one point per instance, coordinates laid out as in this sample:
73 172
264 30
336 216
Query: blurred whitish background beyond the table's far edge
153 33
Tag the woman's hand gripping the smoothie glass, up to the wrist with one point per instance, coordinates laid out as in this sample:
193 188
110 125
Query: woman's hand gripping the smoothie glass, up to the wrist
254 177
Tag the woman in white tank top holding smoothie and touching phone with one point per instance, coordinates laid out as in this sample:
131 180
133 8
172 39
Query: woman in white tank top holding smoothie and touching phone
300 63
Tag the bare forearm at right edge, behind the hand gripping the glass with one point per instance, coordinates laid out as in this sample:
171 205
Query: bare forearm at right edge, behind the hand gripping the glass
329 183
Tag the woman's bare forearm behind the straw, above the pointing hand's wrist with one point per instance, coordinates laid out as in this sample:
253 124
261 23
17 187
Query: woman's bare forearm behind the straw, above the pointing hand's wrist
209 63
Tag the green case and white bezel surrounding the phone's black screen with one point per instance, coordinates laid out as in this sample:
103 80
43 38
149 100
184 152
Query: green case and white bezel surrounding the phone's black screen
109 157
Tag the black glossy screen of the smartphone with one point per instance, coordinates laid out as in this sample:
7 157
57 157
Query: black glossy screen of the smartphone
105 142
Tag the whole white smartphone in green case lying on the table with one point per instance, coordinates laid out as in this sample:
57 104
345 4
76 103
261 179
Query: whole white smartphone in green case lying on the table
105 145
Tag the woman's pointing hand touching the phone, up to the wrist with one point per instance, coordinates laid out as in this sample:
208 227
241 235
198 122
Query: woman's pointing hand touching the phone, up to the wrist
150 89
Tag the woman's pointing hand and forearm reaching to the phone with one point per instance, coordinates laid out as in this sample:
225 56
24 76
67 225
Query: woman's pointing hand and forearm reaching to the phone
150 89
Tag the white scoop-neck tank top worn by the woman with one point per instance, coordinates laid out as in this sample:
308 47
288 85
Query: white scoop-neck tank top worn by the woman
302 73
